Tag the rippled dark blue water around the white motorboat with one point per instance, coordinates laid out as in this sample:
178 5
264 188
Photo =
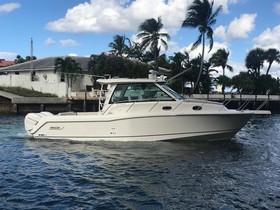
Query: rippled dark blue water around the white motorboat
243 173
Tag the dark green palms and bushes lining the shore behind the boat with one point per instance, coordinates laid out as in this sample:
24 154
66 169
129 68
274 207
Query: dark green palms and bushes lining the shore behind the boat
134 58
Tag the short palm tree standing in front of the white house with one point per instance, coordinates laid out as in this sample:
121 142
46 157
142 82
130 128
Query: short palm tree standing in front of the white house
68 68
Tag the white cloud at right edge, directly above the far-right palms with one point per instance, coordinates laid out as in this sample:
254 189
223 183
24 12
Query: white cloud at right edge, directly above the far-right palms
268 39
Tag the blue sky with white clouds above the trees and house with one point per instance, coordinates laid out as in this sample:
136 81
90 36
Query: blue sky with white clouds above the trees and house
86 27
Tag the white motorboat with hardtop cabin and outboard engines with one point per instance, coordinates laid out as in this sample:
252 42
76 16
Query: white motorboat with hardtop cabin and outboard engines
140 110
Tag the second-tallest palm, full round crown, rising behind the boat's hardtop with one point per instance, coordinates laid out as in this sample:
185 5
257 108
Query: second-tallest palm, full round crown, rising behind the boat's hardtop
152 37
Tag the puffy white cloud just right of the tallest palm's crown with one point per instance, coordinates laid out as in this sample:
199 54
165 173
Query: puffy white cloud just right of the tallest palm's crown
239 28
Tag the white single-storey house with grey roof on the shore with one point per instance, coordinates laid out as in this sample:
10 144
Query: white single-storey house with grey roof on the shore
39 75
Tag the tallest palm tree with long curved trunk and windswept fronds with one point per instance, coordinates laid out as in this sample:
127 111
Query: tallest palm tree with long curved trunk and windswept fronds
200 15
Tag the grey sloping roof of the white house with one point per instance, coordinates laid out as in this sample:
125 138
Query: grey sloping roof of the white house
45 64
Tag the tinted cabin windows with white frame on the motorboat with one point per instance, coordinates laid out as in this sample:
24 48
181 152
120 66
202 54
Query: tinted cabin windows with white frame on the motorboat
140 92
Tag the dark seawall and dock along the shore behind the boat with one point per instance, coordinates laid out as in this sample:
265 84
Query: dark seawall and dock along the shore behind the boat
14 104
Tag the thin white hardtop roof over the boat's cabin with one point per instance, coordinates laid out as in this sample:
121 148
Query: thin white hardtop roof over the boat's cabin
126 80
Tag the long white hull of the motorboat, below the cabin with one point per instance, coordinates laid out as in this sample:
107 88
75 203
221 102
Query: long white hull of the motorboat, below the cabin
219 126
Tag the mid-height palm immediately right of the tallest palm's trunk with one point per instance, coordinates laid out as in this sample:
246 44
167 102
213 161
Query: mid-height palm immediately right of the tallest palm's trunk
220 58
